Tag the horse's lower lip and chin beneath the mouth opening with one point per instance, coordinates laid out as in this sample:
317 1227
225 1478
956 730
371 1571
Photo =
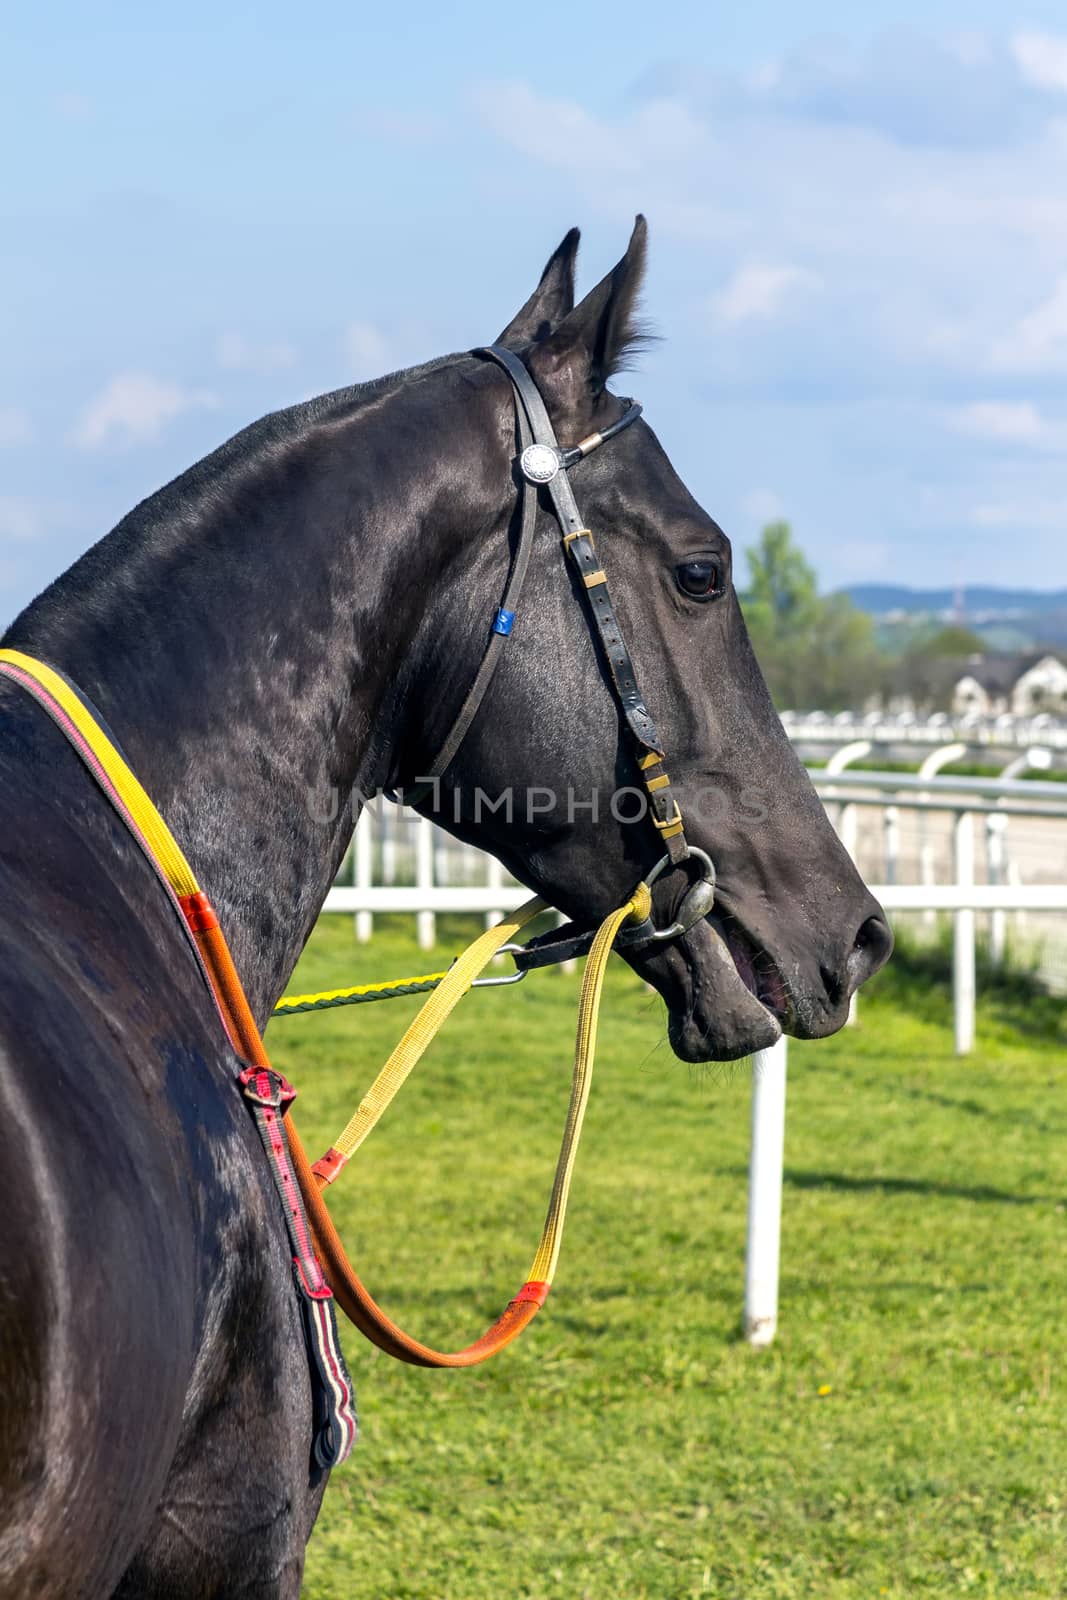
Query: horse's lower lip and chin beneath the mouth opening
714 1015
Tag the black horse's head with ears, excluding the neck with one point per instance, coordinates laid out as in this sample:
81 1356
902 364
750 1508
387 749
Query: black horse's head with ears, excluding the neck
546 775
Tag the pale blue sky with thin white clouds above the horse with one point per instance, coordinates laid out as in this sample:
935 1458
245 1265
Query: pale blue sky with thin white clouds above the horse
858 249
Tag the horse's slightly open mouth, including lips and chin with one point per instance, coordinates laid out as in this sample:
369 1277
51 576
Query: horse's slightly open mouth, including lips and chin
725 996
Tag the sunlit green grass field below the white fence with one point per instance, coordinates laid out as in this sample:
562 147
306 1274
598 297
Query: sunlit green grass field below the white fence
908 1433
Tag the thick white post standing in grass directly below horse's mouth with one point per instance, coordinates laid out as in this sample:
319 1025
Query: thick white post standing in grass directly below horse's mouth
765 1194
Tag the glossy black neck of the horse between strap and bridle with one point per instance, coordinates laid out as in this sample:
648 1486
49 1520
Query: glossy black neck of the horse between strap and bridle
247 636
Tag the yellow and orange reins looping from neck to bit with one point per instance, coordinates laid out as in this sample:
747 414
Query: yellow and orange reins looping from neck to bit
118 780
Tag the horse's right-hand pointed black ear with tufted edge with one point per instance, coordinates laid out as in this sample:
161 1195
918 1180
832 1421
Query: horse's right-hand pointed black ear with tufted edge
601 335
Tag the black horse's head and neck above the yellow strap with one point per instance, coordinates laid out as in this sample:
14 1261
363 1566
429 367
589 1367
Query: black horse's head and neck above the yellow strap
305 614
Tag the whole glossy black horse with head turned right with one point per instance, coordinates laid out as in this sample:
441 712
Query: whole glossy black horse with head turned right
302 615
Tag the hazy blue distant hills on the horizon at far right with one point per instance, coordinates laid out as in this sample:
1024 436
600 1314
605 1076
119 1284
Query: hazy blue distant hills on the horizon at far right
1004 618
